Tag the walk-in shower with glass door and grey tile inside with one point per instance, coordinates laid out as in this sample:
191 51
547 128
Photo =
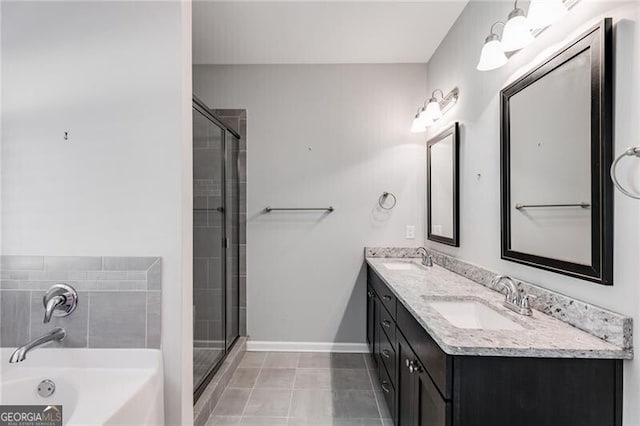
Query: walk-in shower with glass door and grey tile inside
216 208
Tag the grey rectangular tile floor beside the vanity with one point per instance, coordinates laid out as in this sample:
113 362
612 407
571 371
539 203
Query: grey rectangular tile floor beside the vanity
284 388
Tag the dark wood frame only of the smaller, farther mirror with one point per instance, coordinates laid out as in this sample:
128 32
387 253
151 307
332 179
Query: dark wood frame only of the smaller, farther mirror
449 131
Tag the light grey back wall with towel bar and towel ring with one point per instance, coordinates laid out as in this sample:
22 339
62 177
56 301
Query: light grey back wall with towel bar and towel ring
321 135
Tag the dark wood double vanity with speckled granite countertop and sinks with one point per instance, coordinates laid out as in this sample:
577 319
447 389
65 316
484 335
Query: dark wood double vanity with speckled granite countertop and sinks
448 353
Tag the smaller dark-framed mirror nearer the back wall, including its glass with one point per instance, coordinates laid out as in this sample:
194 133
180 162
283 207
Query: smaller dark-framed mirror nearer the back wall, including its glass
442 187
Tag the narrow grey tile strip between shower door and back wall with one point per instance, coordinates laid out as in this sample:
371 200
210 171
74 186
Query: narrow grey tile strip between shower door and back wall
237 120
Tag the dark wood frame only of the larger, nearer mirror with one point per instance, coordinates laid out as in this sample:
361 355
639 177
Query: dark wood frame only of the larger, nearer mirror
599 41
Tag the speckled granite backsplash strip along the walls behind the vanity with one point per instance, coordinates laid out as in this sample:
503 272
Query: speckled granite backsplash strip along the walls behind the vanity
607 325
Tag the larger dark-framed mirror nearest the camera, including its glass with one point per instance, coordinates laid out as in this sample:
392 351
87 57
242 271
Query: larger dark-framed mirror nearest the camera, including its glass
556 149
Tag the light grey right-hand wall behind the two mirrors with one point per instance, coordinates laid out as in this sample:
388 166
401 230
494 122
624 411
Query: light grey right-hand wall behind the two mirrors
478 111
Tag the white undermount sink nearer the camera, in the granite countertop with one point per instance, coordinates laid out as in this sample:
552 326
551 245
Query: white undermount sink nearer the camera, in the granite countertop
473 314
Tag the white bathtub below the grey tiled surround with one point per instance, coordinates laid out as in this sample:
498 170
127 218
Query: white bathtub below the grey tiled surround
94 386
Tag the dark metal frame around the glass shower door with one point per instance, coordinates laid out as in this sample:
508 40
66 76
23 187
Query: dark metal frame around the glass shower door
200 107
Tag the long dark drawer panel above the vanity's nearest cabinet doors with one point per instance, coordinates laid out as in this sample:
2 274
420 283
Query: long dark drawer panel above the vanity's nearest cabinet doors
438 364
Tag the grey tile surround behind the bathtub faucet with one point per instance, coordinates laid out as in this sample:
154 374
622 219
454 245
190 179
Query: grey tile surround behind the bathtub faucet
119 300
